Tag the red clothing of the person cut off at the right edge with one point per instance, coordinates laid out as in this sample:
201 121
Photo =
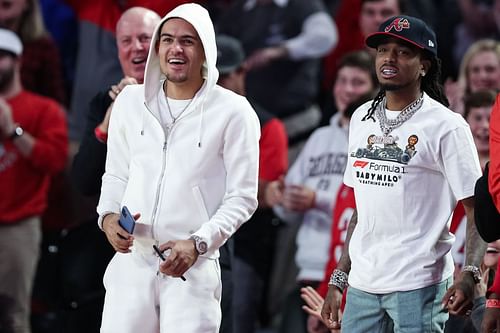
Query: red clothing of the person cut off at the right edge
494 173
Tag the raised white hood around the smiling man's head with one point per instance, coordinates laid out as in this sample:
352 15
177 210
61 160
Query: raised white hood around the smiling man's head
199 18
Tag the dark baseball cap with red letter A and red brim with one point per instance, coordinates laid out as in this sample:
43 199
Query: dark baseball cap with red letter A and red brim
407 28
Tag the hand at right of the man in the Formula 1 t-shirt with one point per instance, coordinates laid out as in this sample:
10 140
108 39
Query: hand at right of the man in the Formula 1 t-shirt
459 297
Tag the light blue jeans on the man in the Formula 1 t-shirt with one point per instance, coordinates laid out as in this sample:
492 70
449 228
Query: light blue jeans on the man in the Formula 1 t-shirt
414 311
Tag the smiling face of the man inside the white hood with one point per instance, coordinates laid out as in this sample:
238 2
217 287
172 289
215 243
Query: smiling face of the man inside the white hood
181 52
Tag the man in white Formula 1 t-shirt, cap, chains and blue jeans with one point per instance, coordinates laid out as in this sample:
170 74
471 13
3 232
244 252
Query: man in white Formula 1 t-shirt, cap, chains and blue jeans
410 161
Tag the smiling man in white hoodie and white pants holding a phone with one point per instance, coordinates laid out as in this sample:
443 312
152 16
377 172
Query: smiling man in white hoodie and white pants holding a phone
186 165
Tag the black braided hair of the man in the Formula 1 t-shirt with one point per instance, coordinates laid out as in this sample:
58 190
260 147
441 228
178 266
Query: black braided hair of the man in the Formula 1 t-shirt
430 84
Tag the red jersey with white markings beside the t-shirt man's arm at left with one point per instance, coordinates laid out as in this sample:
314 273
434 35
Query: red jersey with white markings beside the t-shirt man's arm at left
342 212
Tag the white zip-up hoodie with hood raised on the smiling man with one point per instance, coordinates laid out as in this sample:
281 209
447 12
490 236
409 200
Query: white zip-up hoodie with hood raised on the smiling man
199 178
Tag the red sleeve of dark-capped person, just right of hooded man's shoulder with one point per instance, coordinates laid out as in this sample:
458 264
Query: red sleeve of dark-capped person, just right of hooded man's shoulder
273 160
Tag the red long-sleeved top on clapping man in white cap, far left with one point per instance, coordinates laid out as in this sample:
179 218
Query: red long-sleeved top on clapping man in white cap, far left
24 181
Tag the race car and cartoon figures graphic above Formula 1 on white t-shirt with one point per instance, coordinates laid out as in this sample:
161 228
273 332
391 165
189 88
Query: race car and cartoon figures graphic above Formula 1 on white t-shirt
385 148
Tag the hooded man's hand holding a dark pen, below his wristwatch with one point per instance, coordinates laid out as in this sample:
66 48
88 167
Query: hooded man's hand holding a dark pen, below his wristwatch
182 256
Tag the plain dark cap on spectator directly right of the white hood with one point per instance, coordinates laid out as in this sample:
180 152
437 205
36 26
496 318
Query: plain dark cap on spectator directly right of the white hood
230 54
